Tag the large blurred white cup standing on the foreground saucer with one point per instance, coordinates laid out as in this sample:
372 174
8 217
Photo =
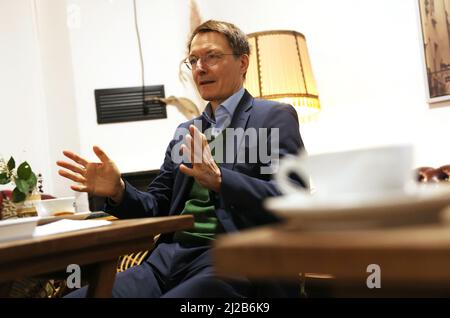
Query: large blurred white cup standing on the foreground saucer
362 172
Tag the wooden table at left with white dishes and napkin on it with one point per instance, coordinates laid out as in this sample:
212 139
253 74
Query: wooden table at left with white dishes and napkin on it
98 248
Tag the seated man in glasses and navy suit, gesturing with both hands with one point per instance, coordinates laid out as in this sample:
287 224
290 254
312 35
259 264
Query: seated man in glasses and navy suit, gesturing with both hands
224 195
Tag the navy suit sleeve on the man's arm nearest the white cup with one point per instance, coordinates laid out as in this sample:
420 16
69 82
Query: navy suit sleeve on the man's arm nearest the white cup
244 194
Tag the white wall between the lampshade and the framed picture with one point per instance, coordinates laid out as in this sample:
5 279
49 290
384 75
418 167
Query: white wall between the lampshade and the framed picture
366 57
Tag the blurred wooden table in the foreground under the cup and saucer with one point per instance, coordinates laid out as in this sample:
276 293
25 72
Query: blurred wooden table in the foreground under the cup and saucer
412 261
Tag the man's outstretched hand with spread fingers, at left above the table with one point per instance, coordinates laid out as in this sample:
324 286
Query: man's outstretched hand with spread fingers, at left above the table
101 179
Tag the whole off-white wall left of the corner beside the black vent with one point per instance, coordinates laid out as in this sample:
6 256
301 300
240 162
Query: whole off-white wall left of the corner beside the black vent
37 88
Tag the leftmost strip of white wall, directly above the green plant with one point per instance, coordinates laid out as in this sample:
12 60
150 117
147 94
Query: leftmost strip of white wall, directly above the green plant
23 120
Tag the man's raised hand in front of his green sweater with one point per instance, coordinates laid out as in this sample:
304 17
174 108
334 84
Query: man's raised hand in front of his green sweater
204 169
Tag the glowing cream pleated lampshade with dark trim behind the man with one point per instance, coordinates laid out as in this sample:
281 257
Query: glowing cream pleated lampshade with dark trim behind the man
280 69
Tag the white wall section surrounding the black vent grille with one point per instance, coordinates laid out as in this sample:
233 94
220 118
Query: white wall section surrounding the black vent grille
105 52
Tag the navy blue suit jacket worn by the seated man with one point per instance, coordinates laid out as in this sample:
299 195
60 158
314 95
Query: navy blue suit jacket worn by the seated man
240 202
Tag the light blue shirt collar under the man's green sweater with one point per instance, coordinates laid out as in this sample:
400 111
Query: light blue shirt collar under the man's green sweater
224 113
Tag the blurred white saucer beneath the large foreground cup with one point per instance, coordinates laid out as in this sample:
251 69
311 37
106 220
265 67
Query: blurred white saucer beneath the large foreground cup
418 205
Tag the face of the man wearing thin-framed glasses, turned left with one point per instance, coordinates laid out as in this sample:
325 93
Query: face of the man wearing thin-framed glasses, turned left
217 82
